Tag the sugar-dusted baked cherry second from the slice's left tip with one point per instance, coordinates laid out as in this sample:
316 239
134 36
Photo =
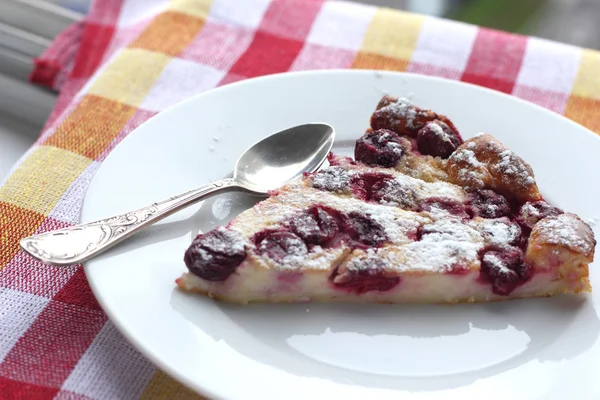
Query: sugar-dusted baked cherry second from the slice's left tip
280 245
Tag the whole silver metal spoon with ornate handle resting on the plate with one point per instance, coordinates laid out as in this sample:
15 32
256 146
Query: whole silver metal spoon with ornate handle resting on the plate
267 165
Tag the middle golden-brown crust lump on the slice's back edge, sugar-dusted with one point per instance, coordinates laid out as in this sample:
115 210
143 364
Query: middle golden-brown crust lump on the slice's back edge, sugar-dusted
484 162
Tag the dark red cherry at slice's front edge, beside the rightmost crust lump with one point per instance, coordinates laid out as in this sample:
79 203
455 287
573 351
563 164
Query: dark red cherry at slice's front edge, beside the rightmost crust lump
504 269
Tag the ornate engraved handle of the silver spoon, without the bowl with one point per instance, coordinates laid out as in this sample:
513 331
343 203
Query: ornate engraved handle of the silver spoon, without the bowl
81 242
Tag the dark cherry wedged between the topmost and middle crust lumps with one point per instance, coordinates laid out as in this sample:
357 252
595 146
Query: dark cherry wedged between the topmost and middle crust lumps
437 139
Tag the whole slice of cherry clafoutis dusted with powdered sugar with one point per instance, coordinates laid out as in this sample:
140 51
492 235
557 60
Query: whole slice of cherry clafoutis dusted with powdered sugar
418 217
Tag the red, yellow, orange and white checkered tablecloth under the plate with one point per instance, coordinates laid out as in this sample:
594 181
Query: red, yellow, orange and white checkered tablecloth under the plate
129 60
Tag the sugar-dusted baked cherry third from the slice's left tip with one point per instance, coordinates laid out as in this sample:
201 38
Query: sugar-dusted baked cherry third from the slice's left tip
317 225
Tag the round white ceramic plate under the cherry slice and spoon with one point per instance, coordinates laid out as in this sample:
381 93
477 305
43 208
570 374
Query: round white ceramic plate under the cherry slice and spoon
546 348
